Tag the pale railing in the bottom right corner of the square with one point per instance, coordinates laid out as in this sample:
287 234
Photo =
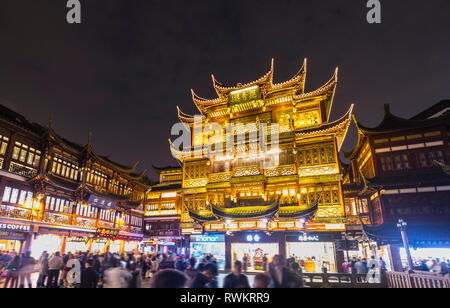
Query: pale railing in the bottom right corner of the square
417 280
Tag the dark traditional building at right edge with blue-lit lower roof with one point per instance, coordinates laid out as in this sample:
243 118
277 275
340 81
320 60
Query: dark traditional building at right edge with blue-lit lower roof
399 170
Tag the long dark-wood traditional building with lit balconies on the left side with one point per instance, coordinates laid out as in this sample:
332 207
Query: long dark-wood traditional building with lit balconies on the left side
61 196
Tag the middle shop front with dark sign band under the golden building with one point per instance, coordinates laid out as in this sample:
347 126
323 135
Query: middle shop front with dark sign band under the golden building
254 249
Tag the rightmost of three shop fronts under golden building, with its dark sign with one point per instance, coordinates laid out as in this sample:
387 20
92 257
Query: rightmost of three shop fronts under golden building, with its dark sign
314 252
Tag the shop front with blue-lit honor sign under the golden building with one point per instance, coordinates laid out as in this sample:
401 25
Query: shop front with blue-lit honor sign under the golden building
212 243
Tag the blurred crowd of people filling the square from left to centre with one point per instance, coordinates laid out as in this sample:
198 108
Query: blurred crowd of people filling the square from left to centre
128 270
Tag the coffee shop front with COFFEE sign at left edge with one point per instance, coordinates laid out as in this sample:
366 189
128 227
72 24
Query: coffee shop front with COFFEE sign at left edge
13 237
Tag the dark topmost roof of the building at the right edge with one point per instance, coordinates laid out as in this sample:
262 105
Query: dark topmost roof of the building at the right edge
392 123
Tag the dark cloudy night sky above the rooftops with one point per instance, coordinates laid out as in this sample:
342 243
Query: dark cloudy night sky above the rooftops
123 71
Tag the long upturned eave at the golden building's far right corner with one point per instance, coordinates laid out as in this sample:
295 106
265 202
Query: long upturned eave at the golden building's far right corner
340 125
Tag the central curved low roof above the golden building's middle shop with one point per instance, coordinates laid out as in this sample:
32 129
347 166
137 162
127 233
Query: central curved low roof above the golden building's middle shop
247 212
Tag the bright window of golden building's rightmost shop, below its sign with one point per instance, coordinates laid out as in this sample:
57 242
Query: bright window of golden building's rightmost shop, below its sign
313 256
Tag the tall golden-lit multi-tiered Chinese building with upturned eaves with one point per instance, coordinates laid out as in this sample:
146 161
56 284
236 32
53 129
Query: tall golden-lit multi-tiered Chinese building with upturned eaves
238 199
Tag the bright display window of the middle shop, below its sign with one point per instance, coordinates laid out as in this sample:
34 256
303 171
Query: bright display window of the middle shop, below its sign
254 256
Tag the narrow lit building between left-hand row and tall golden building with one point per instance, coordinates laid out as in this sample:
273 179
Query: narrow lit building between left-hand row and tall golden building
163 212
